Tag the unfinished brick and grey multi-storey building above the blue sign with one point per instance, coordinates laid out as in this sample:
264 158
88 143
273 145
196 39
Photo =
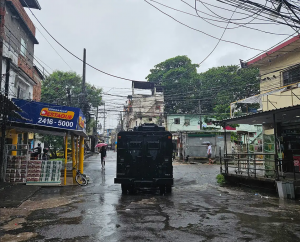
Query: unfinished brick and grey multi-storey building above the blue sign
18 48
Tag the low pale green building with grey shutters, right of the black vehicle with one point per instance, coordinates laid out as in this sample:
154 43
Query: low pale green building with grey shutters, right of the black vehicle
190 138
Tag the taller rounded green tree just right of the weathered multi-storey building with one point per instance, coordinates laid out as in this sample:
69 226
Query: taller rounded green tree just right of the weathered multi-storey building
179 78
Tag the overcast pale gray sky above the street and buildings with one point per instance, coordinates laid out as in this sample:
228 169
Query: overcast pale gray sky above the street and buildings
128 37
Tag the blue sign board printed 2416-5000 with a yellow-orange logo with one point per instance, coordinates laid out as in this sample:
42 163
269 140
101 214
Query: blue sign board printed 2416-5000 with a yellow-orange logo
51 115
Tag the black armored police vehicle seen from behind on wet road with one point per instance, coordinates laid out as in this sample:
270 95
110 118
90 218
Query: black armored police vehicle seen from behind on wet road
144 159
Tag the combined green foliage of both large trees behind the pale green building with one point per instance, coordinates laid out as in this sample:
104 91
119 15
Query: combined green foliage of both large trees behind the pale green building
217 87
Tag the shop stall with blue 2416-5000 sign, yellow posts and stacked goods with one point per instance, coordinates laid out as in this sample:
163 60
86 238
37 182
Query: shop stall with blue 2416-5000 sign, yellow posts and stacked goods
50 119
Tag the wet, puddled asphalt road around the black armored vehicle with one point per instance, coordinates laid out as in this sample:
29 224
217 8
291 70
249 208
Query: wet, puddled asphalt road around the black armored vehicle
197 210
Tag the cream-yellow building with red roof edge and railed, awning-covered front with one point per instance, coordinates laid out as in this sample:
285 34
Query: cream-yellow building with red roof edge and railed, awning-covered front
279 115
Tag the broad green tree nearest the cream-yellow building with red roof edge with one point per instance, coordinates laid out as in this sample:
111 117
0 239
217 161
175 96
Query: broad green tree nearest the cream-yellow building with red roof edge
226 84
